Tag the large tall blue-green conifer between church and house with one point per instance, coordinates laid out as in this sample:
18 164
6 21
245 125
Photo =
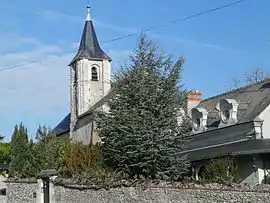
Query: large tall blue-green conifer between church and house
140 133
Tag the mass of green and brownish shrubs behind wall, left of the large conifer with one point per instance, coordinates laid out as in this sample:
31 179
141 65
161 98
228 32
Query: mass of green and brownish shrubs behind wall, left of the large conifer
72 160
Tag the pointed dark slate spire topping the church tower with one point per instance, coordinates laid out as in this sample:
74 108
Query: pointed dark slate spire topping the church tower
89 45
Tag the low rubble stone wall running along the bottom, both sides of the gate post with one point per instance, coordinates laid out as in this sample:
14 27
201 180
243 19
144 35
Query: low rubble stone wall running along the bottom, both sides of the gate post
22 192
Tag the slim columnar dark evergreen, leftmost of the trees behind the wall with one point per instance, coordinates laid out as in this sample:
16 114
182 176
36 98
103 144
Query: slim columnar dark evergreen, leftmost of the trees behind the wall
19 150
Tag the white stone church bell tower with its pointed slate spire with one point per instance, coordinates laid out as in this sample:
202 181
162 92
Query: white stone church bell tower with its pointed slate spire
89 73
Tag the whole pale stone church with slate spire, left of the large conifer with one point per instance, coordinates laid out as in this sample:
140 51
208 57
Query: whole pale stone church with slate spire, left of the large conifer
90 72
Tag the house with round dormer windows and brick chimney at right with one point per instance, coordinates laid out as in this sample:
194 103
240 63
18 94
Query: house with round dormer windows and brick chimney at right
236 124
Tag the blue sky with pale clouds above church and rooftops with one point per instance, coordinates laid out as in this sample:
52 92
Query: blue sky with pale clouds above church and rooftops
217 47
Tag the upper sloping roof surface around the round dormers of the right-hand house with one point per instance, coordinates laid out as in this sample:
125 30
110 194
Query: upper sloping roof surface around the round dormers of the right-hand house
252 100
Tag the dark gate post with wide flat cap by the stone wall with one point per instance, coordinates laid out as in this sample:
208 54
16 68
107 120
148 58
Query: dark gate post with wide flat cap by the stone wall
45 175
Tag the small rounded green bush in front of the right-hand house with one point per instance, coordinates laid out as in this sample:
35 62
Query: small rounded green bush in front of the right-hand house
223 170
